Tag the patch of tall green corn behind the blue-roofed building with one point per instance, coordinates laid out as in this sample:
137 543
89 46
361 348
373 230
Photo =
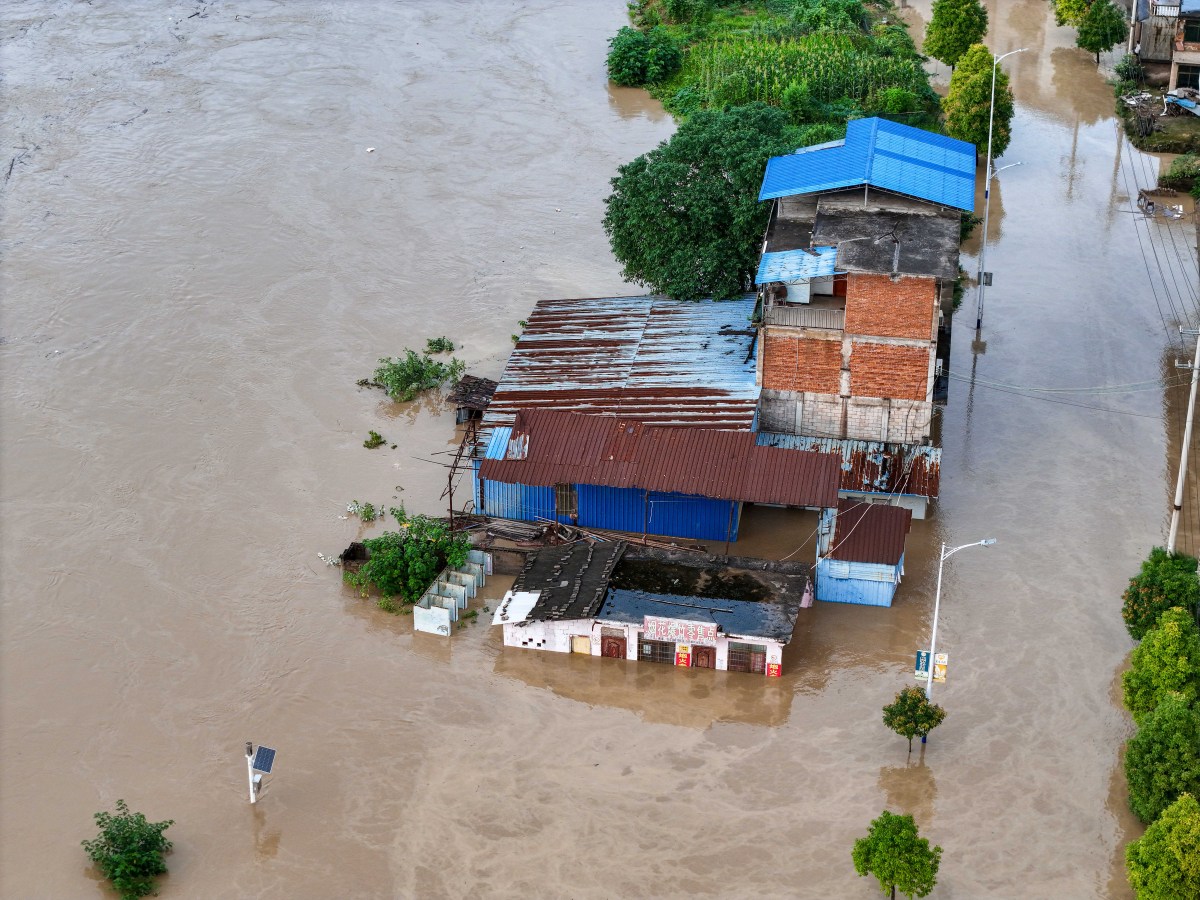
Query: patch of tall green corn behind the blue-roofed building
745 70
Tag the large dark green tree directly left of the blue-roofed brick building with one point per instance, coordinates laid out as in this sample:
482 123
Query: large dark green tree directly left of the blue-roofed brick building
686 219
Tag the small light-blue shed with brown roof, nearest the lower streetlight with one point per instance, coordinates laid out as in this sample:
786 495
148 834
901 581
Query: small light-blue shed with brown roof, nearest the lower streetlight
863 562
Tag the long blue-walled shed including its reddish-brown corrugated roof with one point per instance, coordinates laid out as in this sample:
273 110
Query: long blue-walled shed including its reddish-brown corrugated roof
616 475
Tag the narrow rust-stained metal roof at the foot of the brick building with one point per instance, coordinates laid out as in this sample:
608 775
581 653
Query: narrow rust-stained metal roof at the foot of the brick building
871 466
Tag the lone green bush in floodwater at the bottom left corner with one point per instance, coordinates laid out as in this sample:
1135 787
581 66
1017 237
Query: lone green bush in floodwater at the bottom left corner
129 850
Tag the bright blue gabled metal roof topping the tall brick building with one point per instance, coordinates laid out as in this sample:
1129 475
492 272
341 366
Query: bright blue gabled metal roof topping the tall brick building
881 154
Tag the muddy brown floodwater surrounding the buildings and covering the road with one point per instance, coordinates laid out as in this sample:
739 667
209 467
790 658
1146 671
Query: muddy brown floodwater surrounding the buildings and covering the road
201 259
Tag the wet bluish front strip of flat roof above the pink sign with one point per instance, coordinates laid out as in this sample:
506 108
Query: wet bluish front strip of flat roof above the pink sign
734 619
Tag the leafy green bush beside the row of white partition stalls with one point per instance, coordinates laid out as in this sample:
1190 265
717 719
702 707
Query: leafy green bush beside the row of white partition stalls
404 563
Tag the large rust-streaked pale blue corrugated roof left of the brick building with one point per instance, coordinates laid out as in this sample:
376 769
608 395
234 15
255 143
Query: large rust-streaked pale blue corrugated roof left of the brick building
657 361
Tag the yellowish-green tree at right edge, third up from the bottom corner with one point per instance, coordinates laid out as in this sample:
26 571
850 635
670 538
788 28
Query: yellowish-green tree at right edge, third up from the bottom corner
1167 662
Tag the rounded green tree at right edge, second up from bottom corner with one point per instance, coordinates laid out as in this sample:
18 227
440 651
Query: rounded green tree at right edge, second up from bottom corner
1163 759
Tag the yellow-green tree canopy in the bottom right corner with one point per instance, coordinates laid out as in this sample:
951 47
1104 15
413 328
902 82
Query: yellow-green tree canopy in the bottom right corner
1165 863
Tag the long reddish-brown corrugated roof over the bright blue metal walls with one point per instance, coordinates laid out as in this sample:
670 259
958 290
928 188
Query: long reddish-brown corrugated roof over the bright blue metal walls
551 447
